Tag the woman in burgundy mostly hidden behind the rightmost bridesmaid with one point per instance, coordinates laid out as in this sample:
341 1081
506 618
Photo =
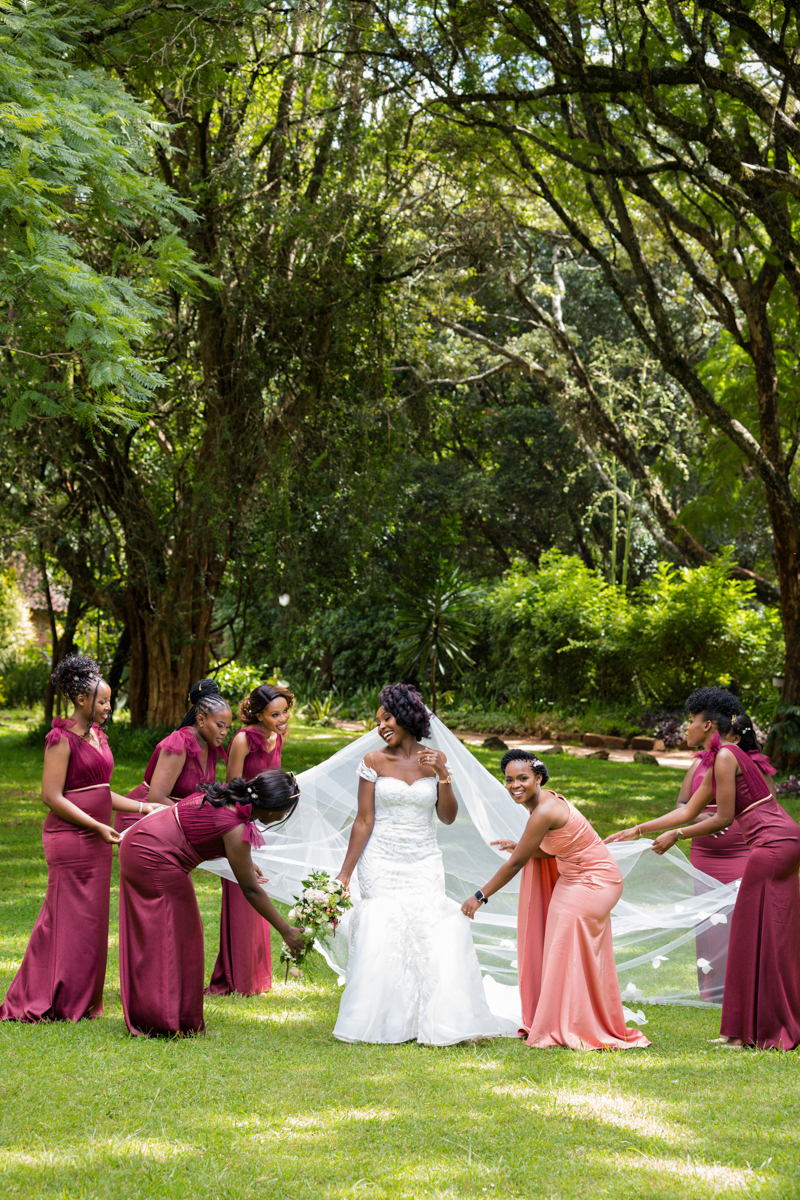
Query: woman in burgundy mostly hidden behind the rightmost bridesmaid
724 856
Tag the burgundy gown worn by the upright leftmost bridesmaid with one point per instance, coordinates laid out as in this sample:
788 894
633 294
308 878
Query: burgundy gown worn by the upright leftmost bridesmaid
63 971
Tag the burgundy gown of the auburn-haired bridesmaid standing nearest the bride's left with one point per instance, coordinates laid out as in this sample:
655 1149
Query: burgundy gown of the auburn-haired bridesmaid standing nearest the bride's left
245 959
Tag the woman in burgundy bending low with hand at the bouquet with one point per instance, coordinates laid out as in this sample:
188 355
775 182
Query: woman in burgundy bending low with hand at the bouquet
161 934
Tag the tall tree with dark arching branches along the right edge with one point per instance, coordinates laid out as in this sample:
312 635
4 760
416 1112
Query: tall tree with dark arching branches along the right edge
663 139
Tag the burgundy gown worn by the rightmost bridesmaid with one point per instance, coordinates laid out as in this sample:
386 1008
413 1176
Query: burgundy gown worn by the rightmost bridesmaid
762 983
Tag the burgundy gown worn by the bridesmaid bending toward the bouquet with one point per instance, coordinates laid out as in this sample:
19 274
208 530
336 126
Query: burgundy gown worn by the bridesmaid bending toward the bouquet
163 961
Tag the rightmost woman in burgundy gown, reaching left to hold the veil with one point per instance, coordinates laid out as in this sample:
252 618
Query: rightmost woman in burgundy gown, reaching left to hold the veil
761 1005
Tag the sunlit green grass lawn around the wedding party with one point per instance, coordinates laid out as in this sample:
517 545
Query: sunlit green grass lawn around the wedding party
268 1103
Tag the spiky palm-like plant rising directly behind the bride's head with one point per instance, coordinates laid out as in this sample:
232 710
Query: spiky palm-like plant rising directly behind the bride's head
437 631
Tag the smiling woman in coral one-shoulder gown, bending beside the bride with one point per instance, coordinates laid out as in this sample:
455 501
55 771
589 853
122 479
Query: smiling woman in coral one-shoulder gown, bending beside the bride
569 985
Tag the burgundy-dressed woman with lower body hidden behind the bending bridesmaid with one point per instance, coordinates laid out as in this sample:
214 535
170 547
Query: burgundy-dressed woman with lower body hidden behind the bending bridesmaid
188 758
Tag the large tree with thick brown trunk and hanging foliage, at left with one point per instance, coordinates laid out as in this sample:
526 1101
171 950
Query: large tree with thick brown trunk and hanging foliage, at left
288 184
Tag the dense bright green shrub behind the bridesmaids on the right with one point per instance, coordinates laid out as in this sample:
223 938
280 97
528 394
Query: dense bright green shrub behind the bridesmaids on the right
564 635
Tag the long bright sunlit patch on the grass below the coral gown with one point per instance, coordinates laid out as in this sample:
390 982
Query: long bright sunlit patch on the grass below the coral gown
636 1115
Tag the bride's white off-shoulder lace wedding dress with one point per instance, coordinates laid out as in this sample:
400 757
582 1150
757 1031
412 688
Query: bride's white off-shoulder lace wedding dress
413 973
